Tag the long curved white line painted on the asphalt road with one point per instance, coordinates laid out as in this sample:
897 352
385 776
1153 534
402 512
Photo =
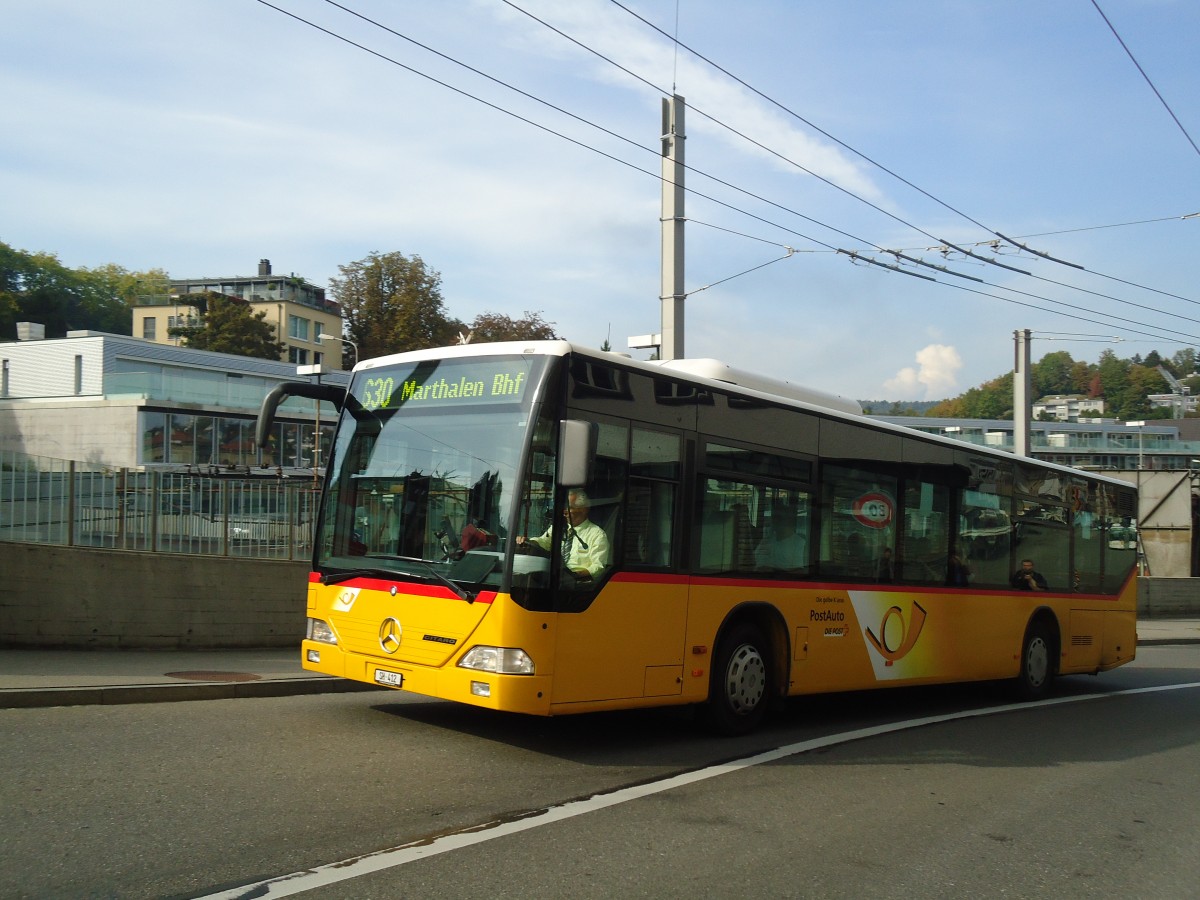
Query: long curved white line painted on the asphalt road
393 857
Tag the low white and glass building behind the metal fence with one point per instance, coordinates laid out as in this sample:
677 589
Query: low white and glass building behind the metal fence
125 403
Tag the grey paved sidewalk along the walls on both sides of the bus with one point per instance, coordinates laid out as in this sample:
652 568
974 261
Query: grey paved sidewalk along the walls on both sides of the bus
52 679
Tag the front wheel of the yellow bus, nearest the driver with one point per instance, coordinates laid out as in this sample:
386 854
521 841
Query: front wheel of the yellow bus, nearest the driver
740 688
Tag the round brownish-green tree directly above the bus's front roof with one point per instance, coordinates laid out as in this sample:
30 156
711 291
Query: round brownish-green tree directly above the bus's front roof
392 304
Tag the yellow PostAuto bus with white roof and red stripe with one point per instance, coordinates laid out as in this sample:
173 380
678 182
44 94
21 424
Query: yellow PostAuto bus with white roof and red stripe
550 530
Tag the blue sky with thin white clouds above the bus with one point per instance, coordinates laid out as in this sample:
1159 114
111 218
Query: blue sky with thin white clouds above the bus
515 147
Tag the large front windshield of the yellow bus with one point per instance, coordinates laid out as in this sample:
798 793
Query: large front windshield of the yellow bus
425 471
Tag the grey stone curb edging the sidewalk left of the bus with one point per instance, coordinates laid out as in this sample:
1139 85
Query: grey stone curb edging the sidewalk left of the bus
117 695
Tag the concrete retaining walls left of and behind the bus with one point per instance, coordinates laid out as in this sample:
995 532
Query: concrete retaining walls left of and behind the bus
67 597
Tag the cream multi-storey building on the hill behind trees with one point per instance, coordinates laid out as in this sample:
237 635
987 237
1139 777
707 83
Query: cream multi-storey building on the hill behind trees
299 311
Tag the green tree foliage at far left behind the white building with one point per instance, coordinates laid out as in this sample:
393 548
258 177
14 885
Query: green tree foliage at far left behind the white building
37 287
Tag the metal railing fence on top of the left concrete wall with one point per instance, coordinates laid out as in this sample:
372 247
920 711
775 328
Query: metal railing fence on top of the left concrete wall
47 501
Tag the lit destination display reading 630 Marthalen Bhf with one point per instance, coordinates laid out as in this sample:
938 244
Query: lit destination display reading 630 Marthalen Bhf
441 385
